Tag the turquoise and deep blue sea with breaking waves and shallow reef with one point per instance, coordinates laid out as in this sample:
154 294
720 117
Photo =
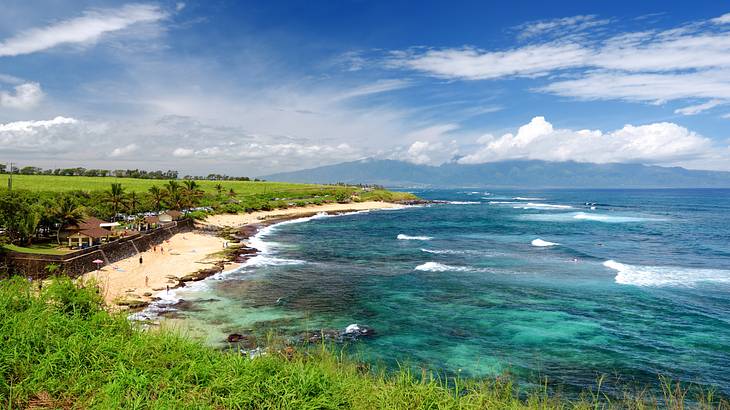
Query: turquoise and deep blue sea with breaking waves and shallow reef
633 284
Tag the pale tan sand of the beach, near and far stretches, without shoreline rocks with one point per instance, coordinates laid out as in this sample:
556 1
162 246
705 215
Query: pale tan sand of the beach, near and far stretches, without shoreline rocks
187 253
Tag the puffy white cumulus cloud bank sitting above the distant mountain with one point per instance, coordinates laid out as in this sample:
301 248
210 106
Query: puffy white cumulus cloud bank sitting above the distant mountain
659 143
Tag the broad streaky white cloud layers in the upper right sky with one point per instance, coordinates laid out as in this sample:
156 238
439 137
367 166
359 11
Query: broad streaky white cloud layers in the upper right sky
688 62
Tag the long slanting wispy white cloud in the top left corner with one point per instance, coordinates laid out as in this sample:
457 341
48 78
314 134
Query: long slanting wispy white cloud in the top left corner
86 29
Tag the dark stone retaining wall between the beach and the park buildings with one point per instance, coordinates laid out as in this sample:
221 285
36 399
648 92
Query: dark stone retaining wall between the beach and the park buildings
77 263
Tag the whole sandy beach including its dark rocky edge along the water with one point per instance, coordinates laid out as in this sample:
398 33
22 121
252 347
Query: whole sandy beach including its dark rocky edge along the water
132 283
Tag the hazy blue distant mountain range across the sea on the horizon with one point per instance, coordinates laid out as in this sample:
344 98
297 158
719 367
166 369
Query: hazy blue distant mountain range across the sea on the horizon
518 173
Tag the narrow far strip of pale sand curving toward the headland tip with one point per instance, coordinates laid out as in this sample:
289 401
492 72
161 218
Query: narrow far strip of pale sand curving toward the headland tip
238 220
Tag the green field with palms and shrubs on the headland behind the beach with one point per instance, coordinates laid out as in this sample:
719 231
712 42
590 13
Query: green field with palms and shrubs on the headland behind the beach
39 207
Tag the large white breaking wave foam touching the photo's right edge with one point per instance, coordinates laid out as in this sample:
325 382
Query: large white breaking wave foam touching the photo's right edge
640 275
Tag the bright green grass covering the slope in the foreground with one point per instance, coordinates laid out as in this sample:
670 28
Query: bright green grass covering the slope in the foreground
60 349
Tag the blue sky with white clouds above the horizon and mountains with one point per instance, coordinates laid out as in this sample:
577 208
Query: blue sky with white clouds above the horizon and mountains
250 88
